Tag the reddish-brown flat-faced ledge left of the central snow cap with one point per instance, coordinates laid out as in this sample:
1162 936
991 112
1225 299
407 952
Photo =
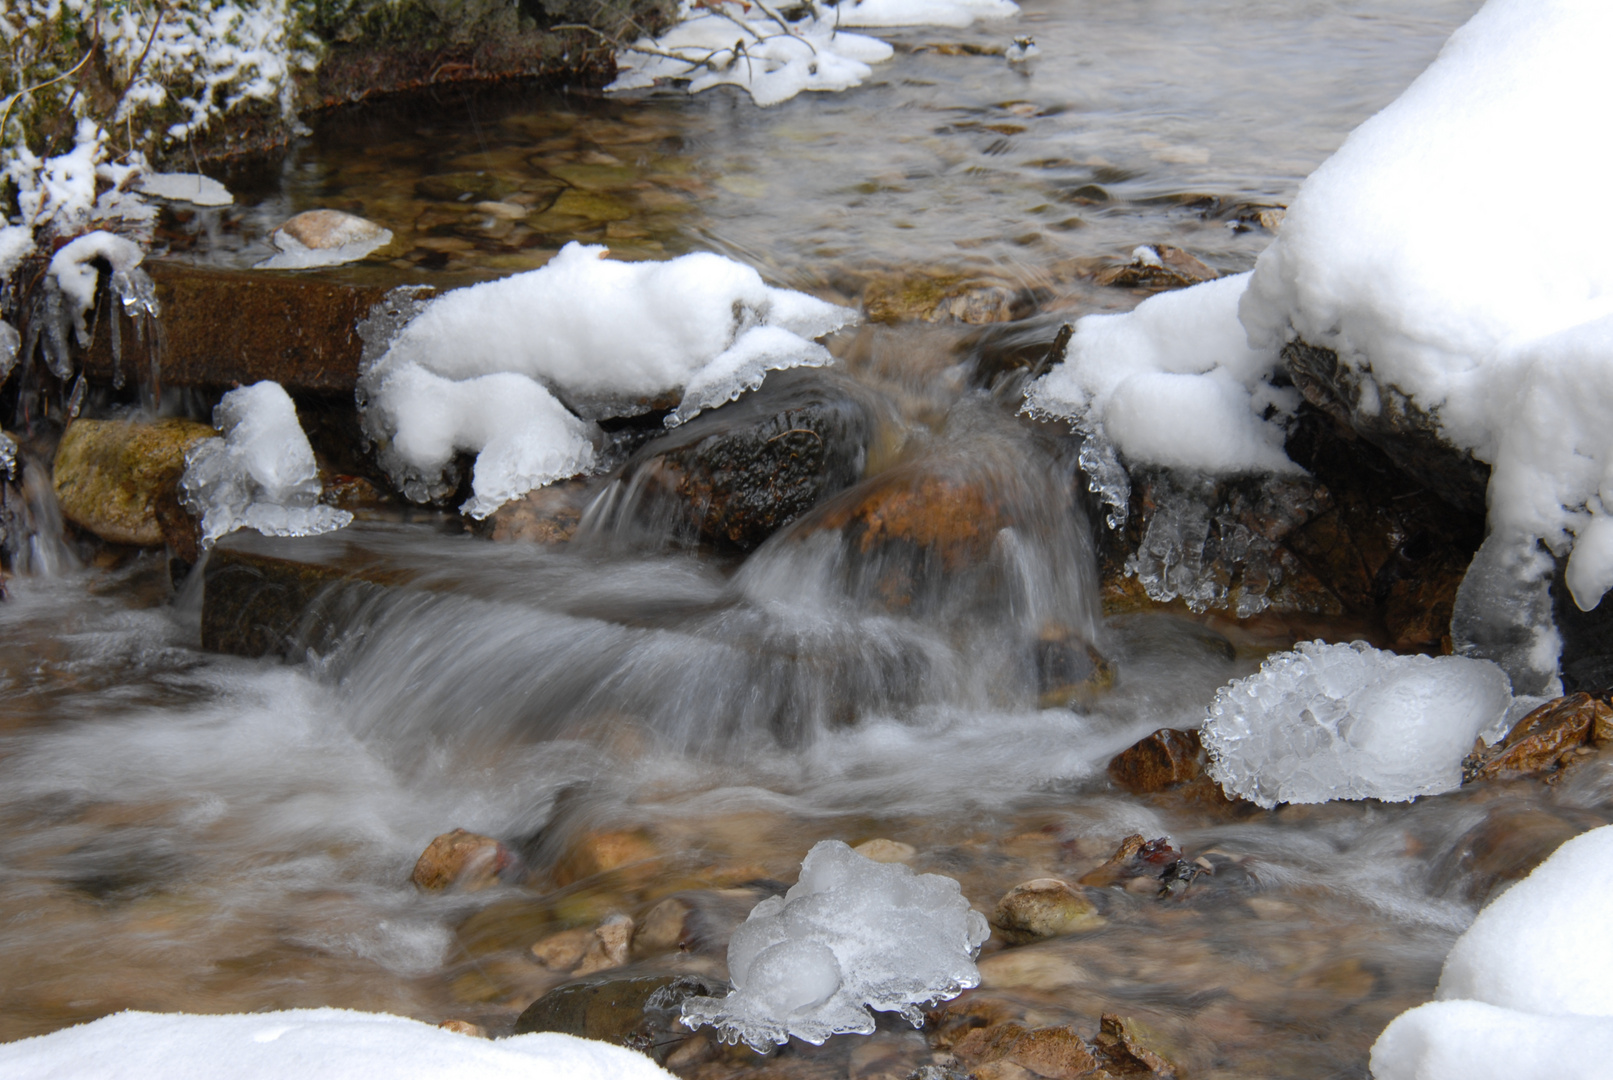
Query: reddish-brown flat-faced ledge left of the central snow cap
294 330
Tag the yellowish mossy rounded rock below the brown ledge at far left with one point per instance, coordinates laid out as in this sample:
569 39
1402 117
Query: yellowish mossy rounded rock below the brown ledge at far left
122 480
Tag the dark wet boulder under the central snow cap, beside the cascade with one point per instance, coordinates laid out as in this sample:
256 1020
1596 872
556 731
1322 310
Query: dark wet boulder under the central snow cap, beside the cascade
735 476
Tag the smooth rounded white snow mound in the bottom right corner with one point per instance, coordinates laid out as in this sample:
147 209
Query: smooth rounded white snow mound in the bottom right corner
1528 991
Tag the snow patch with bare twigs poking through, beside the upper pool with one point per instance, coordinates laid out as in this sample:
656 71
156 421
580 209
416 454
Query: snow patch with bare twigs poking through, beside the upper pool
770 59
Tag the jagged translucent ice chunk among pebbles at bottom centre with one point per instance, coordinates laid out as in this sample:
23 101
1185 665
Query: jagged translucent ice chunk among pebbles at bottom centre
851 936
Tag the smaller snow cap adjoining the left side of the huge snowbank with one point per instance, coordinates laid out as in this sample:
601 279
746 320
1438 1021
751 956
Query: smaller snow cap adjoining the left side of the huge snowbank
1175 383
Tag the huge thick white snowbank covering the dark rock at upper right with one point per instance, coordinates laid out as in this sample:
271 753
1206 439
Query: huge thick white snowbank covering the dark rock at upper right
1501 325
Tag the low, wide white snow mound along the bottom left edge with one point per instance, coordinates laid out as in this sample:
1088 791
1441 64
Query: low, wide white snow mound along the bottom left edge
309 1045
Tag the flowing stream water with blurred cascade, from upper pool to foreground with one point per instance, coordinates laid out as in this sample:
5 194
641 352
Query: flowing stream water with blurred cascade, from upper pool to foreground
191 831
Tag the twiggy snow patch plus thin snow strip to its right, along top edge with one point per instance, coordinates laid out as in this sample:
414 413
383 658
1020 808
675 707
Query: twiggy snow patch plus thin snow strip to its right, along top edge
773 57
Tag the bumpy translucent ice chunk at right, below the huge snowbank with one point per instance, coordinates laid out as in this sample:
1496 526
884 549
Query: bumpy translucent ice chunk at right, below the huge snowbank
1349 723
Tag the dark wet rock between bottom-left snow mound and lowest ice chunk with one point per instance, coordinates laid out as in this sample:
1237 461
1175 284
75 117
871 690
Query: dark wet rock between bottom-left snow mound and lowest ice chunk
636 1013
